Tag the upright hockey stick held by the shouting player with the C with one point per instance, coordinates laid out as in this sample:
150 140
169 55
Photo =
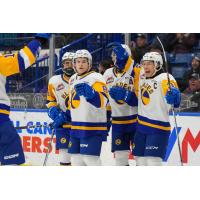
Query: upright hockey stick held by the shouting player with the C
173 110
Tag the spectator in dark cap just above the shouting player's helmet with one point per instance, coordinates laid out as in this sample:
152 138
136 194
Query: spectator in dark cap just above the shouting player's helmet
140 47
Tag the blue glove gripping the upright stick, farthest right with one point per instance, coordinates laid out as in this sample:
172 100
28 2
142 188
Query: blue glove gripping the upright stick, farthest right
173 97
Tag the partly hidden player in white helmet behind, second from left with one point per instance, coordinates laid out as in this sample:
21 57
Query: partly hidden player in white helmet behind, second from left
57 102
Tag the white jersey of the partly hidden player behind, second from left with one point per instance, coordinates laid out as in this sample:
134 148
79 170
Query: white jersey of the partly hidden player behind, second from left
58 95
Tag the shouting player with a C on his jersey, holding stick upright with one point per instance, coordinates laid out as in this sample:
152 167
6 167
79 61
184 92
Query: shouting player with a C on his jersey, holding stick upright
154 100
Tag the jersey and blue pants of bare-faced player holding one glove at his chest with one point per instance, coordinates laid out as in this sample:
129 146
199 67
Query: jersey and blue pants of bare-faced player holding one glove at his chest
88 116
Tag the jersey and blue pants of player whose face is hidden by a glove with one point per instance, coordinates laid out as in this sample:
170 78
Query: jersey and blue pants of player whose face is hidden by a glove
124 115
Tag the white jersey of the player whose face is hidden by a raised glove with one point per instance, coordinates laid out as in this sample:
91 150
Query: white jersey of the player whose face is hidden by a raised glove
122 114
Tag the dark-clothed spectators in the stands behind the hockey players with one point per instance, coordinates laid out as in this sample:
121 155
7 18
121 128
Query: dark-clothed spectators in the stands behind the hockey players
177 43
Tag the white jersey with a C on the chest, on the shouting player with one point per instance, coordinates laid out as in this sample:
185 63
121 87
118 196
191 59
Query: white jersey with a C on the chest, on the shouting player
153 110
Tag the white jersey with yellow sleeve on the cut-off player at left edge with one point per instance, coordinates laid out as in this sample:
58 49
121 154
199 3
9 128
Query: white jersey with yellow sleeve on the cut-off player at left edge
13 64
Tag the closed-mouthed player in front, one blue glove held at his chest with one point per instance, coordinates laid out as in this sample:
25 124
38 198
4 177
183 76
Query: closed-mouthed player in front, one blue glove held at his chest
88 99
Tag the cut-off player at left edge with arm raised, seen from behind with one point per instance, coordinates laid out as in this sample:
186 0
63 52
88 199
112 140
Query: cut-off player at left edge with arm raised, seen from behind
11 152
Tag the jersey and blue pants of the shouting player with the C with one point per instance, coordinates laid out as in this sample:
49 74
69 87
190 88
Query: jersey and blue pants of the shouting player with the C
154 127
